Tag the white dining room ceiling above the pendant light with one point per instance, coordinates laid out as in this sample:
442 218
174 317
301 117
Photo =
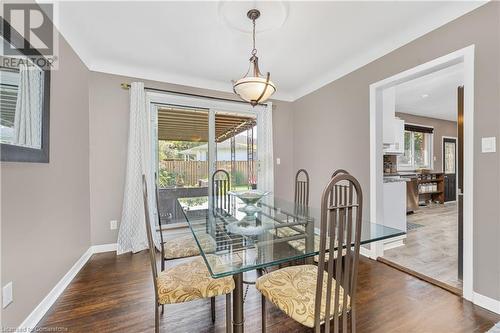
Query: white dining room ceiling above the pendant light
304 45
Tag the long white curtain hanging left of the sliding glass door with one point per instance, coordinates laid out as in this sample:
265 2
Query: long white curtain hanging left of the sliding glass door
132 233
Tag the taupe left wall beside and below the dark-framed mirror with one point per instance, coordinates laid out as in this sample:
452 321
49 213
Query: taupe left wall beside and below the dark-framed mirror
45 207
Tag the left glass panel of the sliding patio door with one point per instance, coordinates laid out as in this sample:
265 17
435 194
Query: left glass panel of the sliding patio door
182 162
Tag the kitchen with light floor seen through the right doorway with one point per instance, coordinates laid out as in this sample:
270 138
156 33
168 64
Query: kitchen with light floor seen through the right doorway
420 182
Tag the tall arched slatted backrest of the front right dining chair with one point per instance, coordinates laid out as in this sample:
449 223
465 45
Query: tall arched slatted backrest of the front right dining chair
340 225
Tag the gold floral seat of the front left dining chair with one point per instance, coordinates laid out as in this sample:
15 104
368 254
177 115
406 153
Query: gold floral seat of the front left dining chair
191 281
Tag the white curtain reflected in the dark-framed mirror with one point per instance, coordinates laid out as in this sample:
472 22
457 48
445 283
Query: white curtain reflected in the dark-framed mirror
28 116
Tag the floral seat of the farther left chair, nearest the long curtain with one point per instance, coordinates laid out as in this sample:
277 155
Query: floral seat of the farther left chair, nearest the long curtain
186 246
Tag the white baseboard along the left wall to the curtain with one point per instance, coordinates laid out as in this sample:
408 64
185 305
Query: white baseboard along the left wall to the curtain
37 314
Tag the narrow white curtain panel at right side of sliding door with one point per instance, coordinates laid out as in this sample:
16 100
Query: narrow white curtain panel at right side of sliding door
265 174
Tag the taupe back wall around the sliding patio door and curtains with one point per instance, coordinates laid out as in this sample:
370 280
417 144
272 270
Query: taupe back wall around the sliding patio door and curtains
109 108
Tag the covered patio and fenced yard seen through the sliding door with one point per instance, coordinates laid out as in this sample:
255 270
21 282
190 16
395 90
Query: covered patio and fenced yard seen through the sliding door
188 176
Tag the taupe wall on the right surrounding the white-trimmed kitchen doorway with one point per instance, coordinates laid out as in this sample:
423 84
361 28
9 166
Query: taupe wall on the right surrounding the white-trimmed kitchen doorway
331 126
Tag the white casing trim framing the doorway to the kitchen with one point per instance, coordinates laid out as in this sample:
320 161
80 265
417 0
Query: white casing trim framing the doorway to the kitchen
465 56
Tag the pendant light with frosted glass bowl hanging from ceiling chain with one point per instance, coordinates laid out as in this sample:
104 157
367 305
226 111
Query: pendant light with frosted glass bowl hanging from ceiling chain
254 87
